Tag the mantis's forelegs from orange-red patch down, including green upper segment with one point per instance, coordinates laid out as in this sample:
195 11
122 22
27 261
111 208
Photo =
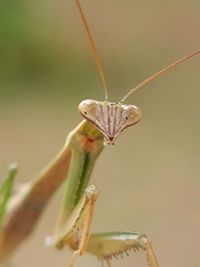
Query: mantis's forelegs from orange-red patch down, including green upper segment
76 212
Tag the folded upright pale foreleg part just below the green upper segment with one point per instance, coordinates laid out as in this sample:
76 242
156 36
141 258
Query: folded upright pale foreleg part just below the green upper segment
75 233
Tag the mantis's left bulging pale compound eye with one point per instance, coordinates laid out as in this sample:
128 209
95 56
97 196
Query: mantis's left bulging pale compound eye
89 109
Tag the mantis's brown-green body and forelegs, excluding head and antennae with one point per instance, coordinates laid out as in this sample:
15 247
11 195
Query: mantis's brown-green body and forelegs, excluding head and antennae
75 161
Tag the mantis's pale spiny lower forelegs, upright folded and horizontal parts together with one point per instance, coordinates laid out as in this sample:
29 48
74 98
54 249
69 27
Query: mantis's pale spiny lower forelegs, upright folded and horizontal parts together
105 246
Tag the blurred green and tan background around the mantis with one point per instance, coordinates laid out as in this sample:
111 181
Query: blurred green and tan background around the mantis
149 181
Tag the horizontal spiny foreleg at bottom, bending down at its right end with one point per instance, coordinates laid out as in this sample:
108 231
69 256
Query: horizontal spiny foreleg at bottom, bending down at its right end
107 246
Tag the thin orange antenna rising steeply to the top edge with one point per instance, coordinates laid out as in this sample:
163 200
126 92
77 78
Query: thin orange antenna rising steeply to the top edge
93 48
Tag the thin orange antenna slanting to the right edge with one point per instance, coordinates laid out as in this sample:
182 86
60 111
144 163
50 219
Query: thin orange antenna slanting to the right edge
152 77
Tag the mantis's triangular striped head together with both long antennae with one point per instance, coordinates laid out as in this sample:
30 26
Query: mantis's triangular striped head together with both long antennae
109 117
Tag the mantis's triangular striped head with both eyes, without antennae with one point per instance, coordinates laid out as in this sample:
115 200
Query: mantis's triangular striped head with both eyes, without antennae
109 117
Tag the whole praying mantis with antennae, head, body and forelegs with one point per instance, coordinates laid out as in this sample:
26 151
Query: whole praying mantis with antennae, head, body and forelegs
104 121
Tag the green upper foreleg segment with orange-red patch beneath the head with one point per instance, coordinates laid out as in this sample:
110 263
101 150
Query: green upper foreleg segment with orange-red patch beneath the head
86 143
